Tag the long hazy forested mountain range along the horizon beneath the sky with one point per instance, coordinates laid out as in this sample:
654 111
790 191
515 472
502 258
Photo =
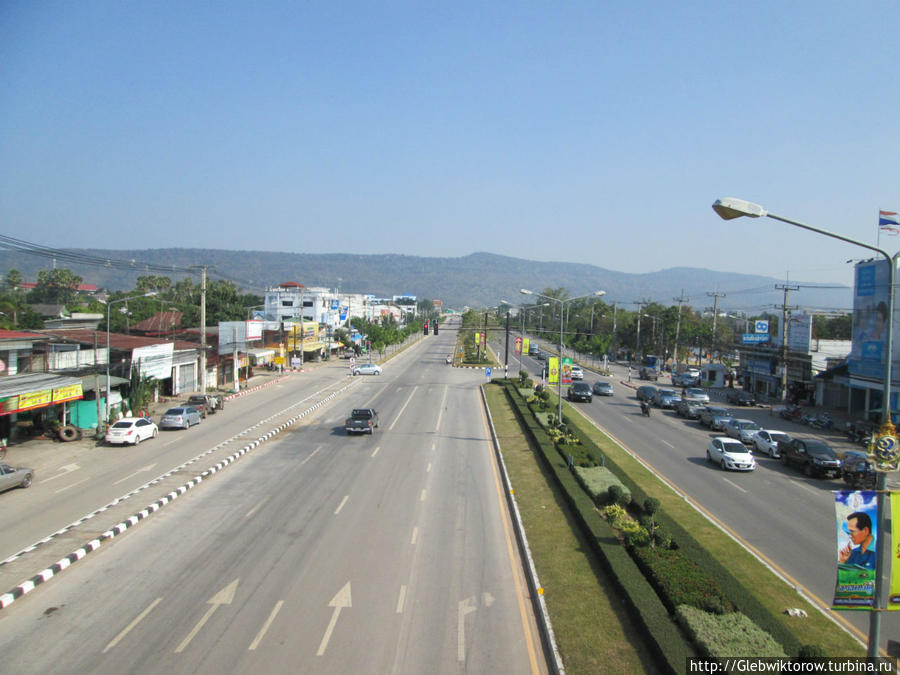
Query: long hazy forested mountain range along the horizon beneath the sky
476 280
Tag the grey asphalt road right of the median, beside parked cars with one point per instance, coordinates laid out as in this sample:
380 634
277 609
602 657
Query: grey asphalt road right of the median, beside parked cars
787 518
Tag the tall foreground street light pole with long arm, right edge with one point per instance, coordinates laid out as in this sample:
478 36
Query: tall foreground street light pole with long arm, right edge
729 208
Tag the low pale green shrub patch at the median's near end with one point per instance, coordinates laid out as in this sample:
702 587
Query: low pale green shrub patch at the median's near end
723 635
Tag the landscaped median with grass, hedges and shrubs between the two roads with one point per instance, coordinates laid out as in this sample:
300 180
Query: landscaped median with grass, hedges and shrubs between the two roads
646 522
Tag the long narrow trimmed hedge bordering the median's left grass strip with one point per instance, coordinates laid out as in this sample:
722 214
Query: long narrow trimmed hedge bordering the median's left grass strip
664 636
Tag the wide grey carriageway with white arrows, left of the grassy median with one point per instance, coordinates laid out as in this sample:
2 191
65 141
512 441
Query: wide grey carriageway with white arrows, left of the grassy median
317 552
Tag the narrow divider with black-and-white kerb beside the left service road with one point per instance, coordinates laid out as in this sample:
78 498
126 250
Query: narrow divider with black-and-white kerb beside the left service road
29 585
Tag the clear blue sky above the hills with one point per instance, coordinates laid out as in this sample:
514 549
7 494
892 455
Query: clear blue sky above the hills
580 131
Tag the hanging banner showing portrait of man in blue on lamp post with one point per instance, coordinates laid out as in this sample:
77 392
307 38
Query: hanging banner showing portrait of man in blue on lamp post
856 516
